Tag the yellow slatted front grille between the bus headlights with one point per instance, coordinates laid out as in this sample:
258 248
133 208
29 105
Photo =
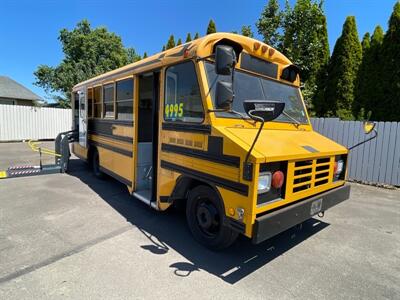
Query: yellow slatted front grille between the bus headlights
310 173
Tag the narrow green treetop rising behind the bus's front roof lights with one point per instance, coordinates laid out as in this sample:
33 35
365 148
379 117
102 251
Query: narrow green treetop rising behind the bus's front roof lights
269 24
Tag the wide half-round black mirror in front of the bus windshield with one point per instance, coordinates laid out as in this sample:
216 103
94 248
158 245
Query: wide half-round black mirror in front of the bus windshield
267 110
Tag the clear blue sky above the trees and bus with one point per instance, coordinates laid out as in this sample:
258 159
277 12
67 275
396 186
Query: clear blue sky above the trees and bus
29 29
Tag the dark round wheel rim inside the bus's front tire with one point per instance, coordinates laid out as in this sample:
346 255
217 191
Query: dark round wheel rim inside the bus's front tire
207 217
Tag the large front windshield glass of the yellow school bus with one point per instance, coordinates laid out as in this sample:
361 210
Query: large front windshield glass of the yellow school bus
252 87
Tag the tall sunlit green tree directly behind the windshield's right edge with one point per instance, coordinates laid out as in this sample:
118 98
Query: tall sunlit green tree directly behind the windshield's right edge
305 42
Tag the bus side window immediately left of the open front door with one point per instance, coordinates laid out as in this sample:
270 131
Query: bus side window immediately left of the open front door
125 99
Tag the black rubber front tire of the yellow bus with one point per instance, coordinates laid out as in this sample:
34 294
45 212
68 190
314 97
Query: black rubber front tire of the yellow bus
218 236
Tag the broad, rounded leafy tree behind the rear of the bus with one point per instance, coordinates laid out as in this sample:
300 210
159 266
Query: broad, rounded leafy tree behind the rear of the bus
87 52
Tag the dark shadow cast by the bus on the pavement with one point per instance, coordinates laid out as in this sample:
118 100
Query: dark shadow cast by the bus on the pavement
165 230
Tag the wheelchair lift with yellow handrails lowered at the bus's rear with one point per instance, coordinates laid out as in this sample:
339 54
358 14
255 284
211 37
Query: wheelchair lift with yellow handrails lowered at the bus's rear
61 155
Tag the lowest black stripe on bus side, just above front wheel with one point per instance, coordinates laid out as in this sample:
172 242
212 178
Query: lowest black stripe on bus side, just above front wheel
234 186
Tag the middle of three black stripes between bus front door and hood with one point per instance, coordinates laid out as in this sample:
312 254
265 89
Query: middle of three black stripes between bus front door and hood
205 155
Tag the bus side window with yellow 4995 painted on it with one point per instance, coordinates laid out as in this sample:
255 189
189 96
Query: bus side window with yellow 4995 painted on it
182 101
